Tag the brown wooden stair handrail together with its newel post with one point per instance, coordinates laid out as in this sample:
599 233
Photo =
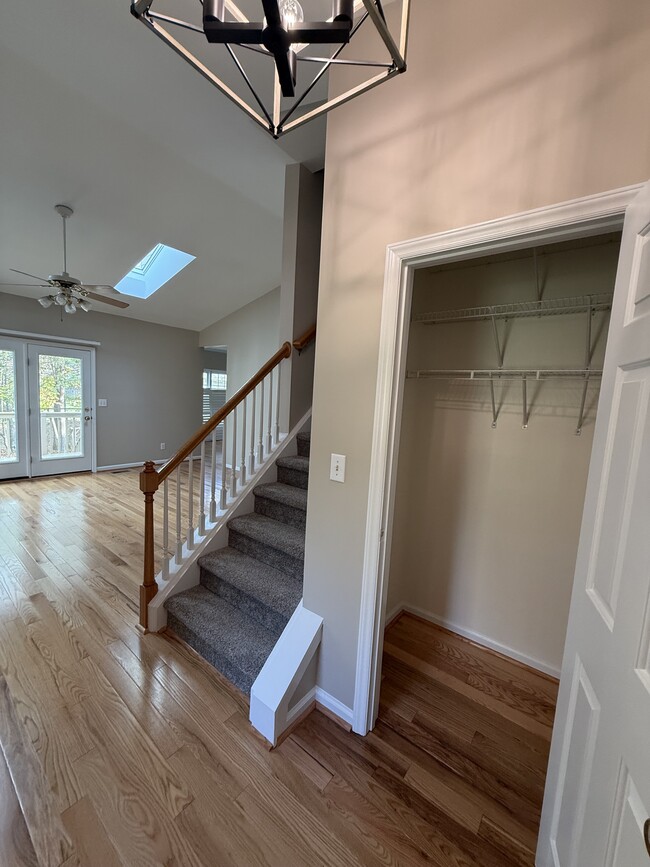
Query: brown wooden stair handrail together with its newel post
151 478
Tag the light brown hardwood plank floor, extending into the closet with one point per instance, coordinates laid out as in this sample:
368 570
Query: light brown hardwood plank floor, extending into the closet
123 749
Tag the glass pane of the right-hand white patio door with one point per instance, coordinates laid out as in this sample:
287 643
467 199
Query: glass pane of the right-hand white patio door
60 396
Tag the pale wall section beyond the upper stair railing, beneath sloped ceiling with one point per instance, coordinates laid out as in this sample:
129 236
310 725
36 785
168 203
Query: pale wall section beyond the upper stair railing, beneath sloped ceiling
250 335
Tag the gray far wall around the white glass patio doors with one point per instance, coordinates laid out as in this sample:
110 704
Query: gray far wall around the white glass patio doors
150 375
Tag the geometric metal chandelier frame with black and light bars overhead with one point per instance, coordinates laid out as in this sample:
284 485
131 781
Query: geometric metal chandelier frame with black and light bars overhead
224 23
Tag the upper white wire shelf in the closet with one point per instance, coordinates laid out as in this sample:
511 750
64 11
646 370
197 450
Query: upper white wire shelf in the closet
549 307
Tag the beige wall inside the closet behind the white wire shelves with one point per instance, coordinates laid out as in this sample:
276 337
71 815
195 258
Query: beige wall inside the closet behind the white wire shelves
487 520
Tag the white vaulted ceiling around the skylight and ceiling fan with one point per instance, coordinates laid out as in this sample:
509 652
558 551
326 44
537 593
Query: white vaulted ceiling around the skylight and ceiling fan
99 114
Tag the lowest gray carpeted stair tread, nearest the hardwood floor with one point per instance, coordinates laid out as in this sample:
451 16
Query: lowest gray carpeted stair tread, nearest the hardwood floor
229 631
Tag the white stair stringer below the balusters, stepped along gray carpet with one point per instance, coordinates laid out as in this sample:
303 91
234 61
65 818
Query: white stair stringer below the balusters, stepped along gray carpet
188 573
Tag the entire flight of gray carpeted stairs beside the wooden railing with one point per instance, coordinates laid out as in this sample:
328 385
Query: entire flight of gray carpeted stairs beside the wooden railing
250 589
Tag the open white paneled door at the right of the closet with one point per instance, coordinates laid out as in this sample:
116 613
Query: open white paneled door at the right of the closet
597 799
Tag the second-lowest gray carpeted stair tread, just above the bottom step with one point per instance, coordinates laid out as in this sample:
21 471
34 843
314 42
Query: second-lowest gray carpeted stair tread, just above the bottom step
273 588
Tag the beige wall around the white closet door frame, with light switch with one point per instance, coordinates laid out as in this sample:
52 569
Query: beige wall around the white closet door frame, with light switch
505 107
